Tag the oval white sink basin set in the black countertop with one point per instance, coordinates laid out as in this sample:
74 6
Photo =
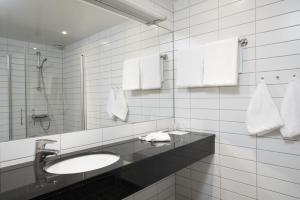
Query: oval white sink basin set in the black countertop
82 163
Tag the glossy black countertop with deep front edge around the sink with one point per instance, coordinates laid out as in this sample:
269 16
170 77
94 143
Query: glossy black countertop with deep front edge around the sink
141 164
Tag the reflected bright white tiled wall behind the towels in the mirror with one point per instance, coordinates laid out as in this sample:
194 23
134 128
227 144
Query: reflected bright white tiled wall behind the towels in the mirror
104 54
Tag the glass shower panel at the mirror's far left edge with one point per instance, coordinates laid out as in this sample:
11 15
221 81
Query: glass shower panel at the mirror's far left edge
12 84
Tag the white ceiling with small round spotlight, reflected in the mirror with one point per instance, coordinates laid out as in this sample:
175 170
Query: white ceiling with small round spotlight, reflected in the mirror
42 21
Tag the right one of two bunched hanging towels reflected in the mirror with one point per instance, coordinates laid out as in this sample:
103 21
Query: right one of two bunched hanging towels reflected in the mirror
120 107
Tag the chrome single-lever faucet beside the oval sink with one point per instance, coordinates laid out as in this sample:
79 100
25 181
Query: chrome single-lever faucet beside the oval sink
41 153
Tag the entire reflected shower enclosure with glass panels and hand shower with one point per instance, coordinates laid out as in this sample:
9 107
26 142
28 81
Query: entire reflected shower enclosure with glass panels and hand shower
31 95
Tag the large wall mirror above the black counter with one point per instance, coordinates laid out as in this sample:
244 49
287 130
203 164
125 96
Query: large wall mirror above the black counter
59 59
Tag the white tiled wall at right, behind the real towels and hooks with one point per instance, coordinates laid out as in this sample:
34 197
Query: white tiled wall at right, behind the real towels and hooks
244 167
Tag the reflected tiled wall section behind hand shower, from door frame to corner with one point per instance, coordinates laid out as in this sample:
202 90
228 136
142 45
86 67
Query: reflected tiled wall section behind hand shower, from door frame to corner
53 83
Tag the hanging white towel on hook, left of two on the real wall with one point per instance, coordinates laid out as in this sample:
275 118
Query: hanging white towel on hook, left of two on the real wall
262 114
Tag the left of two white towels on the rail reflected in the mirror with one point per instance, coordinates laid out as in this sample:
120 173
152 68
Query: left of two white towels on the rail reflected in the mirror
131 74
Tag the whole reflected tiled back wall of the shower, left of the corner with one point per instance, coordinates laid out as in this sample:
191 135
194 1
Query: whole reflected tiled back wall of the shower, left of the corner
19 50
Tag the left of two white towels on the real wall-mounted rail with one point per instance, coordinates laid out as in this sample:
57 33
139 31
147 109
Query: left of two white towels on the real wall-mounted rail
190 67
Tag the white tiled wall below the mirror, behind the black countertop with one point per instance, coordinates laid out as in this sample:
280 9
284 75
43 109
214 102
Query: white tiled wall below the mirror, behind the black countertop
20 151
